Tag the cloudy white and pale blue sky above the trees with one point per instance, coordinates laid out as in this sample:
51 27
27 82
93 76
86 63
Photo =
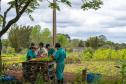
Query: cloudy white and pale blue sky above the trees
109 20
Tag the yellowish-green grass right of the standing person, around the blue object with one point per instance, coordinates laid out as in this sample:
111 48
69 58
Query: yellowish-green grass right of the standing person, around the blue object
110 74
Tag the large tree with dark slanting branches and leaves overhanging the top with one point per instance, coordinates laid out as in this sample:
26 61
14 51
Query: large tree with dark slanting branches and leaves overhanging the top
28 6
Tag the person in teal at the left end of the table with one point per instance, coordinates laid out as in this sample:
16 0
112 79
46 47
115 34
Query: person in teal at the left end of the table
31 52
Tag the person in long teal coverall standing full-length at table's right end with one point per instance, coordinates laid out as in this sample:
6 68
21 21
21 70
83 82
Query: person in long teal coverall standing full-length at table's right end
59 57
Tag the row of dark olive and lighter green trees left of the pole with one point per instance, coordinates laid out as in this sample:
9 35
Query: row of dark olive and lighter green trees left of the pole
20 37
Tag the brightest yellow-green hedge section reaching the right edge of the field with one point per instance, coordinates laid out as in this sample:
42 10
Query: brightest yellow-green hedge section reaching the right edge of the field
109 54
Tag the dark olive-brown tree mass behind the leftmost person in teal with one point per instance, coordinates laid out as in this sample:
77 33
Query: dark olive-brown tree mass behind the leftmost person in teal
19 37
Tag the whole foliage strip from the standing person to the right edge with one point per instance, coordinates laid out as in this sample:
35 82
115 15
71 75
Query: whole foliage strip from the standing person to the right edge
99 54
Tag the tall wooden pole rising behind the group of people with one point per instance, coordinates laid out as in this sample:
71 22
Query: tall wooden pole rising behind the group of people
54 24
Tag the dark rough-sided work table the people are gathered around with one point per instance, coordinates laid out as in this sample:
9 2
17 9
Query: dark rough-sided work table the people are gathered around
31 70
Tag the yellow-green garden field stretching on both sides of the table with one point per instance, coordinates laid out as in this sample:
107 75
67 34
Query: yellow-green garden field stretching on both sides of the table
109 63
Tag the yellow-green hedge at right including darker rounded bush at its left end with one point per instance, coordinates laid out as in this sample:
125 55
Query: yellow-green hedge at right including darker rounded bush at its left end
104 54
